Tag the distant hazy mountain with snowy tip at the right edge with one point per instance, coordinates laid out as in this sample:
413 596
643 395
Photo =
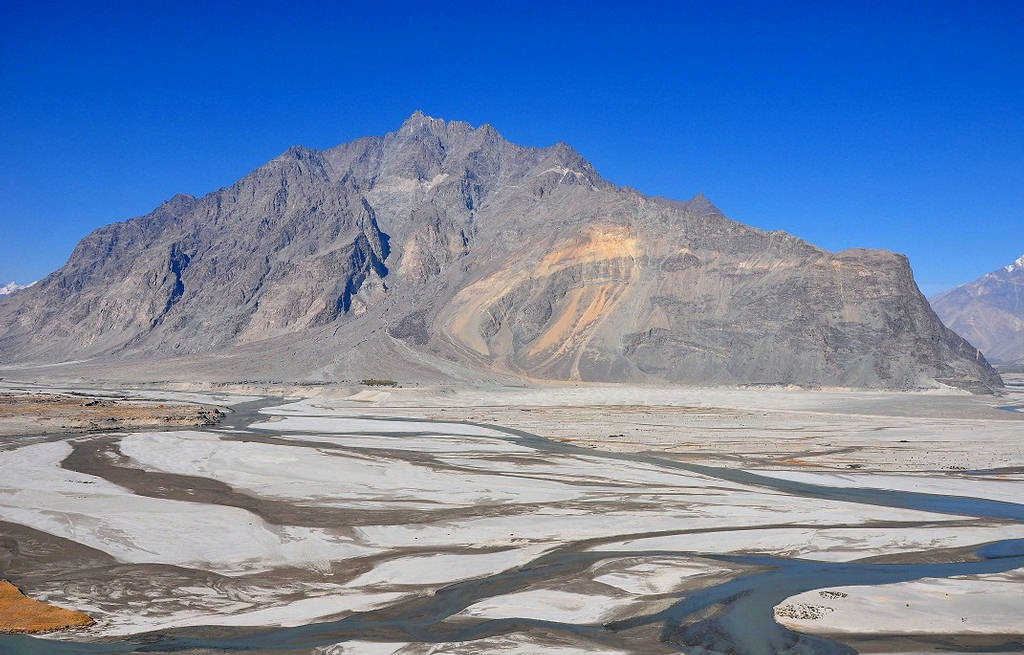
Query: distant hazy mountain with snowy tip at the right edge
990 312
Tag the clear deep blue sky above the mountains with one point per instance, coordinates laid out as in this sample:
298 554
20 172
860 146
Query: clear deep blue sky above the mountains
888 125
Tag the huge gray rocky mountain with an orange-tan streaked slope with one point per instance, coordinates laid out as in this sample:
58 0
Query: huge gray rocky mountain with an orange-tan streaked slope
442 250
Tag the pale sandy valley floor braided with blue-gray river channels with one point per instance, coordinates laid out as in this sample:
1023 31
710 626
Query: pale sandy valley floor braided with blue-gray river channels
591 519
